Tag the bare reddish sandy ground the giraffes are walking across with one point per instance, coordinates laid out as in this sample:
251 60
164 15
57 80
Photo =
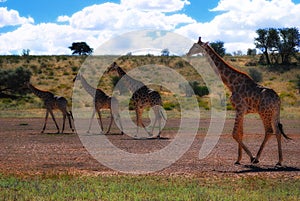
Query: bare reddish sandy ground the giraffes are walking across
24 150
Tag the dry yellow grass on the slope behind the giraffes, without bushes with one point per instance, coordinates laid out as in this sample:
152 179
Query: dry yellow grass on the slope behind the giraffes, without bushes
55 73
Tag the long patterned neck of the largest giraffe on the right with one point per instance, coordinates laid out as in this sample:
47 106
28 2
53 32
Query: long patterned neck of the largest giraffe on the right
230 76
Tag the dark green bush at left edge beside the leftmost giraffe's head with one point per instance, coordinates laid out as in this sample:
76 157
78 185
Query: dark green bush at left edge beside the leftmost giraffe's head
12 81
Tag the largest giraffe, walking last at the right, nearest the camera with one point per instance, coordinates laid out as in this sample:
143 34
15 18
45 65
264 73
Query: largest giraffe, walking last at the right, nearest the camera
247 97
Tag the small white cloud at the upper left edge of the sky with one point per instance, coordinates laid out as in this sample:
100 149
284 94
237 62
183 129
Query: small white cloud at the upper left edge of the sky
12 18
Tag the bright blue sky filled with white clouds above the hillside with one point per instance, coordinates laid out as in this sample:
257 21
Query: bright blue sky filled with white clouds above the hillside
49 27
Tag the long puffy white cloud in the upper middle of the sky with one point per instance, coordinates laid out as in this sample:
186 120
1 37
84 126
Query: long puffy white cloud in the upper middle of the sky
111 16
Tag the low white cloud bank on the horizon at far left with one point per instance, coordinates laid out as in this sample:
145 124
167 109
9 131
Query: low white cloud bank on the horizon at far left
44 38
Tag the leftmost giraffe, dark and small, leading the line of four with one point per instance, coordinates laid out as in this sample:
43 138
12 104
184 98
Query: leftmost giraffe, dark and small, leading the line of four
52 102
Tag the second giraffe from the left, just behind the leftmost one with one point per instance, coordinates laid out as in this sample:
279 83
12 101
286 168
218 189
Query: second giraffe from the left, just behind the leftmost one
101 101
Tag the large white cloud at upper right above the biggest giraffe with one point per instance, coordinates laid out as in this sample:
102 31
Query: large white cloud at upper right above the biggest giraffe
239 20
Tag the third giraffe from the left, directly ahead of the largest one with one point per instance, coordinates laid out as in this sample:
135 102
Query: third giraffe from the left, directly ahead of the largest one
142 97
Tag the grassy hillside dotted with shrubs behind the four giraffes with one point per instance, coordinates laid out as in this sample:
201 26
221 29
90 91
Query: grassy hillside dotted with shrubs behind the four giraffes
55 73
